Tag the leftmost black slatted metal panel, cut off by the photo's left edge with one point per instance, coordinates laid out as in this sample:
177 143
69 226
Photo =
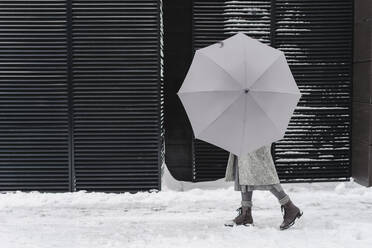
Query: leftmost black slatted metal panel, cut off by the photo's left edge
33 96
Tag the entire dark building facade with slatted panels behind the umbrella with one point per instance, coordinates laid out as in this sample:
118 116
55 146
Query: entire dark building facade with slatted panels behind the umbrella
88 90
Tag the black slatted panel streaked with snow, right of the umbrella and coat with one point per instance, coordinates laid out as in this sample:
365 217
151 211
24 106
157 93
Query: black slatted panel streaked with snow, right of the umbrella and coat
316 37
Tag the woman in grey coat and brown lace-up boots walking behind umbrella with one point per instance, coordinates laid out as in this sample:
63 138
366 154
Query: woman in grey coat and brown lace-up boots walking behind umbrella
256 171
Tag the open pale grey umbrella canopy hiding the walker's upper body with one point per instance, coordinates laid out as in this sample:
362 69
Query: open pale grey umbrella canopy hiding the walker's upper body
239 94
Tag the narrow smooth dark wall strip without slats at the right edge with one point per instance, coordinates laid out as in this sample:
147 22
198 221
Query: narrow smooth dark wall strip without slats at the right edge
362 85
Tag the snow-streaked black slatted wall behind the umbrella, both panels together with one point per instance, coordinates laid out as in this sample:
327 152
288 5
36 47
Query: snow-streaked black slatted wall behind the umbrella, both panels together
316 37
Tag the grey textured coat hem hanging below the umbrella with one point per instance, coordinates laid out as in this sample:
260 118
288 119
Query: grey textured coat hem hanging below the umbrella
256 168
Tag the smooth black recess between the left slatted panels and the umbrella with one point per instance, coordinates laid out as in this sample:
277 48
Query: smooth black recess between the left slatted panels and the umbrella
177 58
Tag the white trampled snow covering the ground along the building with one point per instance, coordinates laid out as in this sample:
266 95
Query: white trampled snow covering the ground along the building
335 215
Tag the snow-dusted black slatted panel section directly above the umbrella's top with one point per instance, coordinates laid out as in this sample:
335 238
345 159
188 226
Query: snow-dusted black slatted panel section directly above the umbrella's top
218 20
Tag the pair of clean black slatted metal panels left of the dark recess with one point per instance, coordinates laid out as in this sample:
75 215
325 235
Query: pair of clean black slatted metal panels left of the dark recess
81 95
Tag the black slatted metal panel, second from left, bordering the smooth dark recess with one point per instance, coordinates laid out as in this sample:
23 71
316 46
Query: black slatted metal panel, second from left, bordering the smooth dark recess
117 94
